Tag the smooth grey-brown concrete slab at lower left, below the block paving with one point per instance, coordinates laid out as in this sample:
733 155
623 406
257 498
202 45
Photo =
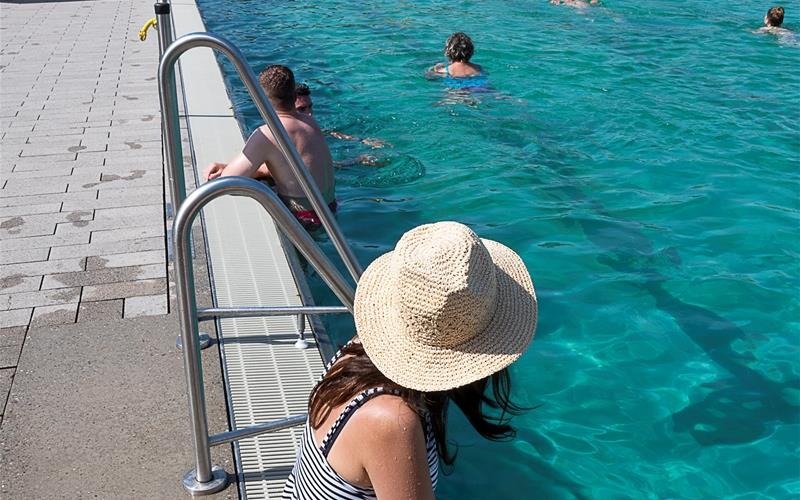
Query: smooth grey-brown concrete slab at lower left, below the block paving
124 381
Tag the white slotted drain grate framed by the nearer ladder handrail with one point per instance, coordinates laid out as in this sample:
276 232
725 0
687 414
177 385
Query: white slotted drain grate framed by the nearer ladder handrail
267 377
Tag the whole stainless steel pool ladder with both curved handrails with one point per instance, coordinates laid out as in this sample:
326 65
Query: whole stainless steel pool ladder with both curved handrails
206 479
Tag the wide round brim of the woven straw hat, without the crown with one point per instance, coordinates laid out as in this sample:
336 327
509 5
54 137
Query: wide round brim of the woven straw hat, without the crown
422 367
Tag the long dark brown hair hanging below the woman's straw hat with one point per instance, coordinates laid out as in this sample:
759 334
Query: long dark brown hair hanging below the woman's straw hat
355 373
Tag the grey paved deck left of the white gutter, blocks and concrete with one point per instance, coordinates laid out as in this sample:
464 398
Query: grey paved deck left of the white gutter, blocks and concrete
92 391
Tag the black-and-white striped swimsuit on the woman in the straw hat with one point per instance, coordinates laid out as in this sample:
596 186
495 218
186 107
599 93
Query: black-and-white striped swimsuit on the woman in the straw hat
313 478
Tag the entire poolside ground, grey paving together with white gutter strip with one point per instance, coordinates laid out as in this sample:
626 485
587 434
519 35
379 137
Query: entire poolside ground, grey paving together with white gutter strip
91 384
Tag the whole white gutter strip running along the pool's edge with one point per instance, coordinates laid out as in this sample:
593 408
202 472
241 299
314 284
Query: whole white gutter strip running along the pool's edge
250 264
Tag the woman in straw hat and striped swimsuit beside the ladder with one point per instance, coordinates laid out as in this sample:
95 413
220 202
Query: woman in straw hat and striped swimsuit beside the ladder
436 318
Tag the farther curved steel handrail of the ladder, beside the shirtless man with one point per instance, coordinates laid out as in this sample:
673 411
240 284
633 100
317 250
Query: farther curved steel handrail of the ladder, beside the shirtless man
169 101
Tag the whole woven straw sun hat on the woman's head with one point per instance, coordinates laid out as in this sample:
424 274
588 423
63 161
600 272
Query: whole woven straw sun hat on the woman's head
445 308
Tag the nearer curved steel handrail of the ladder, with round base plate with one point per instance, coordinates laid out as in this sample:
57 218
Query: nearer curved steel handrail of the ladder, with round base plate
205 479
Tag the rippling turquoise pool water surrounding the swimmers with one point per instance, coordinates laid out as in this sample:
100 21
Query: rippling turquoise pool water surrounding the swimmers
643 159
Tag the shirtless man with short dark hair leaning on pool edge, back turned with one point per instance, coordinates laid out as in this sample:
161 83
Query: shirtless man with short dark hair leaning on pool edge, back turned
261 159
